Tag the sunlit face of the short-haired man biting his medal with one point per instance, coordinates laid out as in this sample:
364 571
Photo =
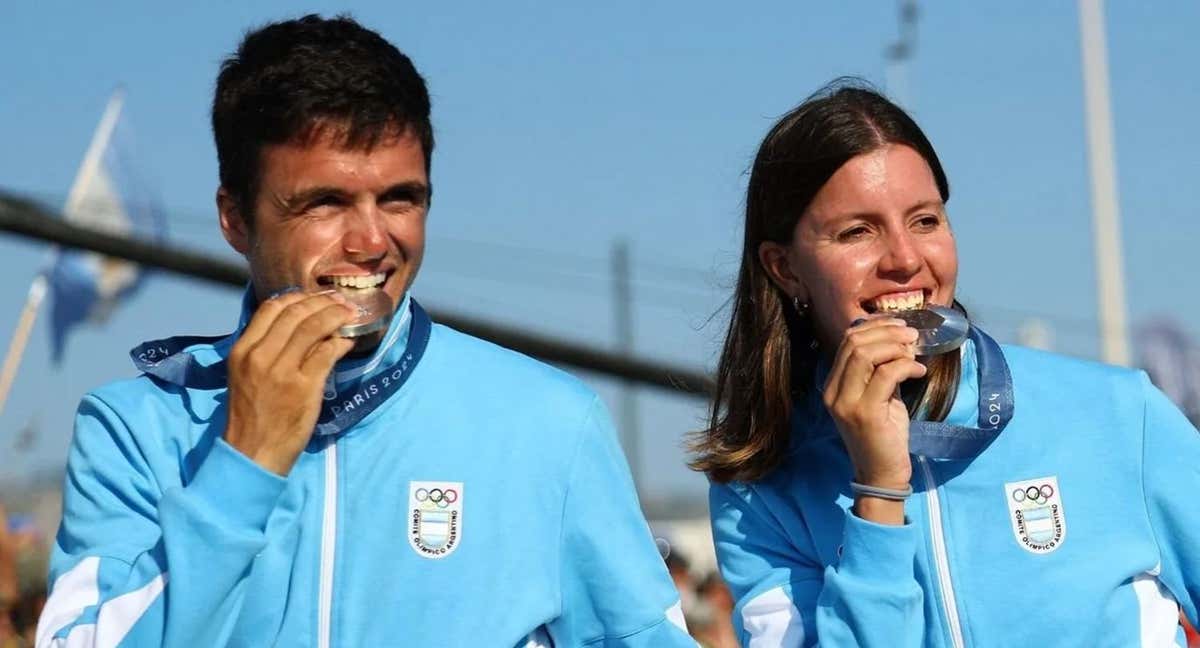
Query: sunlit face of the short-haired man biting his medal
326 215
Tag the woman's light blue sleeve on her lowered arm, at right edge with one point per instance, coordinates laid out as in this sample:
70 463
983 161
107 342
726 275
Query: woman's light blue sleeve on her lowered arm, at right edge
1171 483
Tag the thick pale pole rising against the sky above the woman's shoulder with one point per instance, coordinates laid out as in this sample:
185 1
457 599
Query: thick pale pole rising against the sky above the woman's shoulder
1102 163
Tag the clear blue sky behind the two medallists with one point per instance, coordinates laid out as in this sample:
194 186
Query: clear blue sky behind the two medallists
565 128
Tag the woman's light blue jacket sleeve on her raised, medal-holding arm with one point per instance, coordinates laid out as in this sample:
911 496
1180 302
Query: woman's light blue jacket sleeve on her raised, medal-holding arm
788 598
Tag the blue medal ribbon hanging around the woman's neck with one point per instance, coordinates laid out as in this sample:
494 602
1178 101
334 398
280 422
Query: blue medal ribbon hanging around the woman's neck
944 441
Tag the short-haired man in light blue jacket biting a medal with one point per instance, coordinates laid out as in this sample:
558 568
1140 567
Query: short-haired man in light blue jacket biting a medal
291 487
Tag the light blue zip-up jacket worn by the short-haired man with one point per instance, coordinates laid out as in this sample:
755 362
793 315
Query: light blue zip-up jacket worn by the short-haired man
484 503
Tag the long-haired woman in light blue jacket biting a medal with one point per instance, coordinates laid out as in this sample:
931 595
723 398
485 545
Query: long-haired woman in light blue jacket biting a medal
1053 501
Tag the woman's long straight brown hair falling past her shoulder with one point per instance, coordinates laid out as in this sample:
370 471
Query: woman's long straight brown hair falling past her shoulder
771 350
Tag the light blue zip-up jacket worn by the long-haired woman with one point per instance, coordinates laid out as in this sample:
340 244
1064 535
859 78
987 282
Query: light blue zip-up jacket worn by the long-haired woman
1078 526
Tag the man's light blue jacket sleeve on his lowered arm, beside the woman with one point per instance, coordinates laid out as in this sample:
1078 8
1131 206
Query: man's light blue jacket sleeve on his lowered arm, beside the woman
616 591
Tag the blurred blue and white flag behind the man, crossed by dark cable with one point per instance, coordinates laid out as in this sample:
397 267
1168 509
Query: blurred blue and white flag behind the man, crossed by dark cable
109 195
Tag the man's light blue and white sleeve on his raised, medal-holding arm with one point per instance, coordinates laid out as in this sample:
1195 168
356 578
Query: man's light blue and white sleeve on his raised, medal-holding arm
137 565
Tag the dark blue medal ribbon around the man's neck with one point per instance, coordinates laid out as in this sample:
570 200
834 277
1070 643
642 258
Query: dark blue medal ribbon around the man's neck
169 361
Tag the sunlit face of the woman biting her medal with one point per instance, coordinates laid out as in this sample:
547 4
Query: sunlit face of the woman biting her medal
875 238
